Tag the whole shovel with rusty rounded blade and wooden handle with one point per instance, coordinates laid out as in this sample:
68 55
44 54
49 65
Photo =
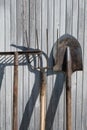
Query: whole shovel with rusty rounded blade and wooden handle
67 57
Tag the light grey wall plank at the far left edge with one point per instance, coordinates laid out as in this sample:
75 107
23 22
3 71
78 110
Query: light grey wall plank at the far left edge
2 78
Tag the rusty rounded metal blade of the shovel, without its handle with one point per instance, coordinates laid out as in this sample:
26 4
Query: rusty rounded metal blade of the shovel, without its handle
59 55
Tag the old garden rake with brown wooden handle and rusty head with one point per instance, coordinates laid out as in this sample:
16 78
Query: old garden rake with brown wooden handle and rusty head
15 85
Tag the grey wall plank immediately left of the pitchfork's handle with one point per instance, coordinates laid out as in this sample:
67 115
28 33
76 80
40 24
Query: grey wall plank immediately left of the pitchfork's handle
38 28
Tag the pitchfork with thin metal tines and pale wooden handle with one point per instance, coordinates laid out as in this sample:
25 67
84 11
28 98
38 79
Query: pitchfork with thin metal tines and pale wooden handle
42 68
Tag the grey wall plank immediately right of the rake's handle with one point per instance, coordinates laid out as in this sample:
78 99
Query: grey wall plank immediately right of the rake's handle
19 42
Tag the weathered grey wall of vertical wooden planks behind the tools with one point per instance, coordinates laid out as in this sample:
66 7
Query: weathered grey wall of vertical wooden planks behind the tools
19 16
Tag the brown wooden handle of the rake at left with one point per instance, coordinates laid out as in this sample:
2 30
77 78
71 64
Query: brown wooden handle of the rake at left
15 93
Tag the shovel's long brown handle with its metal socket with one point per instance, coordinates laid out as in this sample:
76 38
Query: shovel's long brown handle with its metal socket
68 91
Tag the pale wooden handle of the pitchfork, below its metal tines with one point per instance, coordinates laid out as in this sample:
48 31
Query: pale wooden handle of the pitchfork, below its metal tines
42 101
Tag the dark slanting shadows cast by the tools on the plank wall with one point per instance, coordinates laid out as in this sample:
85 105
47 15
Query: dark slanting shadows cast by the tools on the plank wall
56 93
